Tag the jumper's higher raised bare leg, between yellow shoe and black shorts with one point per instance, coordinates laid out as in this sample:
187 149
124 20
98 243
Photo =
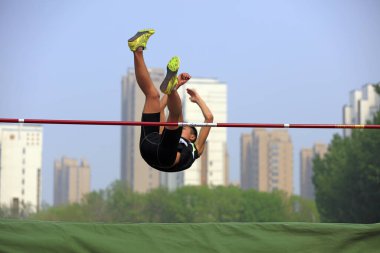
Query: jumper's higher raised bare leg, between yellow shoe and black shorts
152 96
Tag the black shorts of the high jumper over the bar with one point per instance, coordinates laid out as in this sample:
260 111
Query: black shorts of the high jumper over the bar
158 150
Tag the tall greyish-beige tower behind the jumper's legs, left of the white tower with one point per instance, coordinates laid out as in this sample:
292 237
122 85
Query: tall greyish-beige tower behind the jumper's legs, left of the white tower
138 174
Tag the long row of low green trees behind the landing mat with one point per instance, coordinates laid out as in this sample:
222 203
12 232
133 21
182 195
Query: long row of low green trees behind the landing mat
118 203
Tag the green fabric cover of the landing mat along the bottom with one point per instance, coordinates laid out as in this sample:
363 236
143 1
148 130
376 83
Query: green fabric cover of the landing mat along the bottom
42 236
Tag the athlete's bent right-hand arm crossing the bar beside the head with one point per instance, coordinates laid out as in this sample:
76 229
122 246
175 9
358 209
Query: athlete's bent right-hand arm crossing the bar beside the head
209 118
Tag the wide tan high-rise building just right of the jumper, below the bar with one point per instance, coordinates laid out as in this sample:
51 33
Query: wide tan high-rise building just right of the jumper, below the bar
267 161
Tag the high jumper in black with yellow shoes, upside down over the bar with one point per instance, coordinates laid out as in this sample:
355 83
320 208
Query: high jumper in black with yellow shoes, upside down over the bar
169 148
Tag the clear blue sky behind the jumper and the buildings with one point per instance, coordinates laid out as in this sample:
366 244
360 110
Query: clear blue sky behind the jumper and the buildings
283 61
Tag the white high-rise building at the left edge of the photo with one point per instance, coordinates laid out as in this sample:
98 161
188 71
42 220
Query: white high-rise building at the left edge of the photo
20 167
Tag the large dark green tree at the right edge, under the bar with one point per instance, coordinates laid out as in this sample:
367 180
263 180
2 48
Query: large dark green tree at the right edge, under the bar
347 179
